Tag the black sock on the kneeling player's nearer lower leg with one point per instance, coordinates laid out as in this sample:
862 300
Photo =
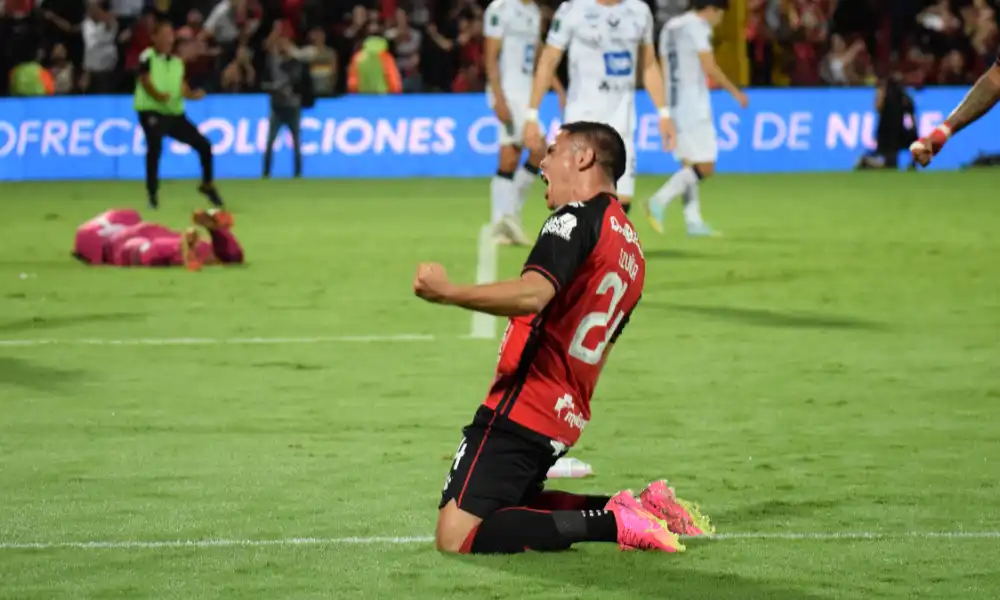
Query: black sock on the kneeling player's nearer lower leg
516 530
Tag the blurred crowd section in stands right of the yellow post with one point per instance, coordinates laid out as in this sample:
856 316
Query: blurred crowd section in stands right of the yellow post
853 42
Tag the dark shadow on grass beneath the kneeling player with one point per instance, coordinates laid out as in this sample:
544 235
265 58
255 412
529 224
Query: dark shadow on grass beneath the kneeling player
645 575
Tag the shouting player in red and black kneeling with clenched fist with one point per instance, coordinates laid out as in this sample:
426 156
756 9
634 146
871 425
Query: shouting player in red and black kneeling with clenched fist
580 284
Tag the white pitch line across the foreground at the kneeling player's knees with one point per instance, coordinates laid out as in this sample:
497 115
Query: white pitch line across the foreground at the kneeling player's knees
402 540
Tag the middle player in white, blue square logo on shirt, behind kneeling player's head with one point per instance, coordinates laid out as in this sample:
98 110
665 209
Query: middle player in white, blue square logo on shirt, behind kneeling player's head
606 41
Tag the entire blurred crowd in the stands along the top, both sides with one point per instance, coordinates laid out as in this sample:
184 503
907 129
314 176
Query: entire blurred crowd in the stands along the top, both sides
93 46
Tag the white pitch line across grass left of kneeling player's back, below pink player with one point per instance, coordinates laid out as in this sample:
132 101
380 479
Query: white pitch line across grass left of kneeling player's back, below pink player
191 341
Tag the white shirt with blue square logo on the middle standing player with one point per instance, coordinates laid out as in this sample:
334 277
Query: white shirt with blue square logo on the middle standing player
602 43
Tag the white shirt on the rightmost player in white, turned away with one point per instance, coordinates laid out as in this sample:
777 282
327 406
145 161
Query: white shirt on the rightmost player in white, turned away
683 38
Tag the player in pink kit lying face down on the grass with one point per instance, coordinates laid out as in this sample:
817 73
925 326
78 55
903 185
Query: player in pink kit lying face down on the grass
121 238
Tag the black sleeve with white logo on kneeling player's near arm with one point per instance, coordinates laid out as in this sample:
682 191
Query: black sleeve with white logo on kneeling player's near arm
562 247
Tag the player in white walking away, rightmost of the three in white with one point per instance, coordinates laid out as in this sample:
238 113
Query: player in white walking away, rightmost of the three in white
686 48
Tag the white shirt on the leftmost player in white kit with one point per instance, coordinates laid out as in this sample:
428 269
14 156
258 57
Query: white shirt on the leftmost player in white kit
517 25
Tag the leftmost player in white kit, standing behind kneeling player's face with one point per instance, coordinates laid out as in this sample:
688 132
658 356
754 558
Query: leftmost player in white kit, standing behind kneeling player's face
512 29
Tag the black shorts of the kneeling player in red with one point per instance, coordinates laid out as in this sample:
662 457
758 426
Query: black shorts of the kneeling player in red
496 467
